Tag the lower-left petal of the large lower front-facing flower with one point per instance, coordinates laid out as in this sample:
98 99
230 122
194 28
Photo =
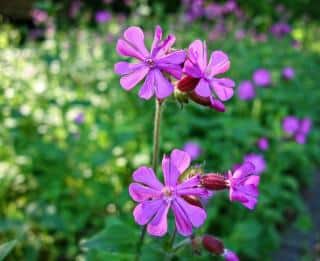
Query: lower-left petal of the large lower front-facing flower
146 210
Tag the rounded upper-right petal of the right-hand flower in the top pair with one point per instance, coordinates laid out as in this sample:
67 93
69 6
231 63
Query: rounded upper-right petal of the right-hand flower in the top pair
218 63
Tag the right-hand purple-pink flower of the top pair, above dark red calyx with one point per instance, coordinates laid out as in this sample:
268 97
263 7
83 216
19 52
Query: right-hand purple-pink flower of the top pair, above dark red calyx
216 90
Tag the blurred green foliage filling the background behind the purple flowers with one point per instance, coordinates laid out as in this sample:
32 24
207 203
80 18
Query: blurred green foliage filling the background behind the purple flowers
63 189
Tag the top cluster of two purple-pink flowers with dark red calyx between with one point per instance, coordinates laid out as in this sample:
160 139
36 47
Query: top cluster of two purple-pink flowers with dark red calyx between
197 77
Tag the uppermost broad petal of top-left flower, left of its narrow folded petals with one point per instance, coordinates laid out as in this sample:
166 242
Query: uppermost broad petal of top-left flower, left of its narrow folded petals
135 37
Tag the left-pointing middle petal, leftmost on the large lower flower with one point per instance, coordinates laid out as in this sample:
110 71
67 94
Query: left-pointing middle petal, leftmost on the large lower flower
141 193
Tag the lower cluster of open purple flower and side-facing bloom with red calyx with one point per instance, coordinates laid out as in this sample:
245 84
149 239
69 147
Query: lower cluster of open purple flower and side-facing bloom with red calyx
155 199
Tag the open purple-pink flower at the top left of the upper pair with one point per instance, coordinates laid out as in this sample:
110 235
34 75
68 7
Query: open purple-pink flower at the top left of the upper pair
150 64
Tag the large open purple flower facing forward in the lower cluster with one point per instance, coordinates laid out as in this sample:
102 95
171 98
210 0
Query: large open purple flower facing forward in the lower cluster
155 199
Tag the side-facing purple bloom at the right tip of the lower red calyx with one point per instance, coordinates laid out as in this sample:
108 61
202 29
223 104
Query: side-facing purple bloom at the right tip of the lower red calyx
243 184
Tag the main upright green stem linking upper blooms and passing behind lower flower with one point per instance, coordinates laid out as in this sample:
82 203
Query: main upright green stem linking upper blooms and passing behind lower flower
155 156
